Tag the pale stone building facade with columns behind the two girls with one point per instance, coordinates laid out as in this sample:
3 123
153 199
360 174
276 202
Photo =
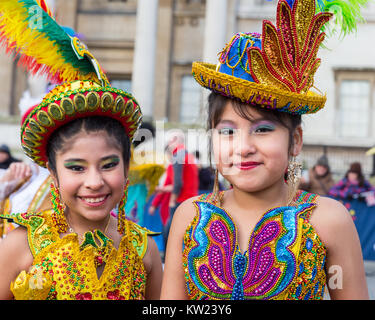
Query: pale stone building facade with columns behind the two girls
147 47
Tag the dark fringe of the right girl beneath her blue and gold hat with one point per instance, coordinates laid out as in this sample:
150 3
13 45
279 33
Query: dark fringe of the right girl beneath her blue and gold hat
217 103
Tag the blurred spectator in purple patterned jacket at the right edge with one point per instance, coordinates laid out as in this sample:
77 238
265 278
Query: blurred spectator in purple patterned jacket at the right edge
352 185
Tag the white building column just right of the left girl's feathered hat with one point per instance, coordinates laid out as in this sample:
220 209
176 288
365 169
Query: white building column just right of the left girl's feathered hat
143 78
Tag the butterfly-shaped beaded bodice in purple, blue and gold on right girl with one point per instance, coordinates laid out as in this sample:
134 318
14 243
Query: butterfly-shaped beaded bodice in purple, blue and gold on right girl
285 257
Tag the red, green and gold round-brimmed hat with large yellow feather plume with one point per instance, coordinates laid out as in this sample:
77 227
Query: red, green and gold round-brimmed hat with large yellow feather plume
86 90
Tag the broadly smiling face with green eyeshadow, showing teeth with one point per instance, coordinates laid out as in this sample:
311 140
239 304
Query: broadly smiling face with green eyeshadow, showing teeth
90 175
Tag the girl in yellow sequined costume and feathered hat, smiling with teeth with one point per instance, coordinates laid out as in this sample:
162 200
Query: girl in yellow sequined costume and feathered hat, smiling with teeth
81 131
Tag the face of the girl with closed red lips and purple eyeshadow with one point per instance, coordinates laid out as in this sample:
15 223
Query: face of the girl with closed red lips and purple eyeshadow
252 154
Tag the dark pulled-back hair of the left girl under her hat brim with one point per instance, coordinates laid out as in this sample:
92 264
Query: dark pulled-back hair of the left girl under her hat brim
114 129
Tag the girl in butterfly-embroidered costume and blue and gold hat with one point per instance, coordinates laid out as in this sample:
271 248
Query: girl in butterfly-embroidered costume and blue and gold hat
262 239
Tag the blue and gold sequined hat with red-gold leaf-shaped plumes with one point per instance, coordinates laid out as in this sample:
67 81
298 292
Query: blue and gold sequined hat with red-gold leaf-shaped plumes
276 69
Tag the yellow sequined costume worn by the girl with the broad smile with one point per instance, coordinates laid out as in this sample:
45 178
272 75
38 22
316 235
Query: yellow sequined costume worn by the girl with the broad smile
63 269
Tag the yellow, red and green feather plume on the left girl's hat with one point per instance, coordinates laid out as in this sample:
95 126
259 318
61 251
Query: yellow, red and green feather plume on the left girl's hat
27 28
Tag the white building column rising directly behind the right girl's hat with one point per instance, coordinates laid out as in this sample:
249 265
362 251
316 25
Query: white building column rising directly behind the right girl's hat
215 29
